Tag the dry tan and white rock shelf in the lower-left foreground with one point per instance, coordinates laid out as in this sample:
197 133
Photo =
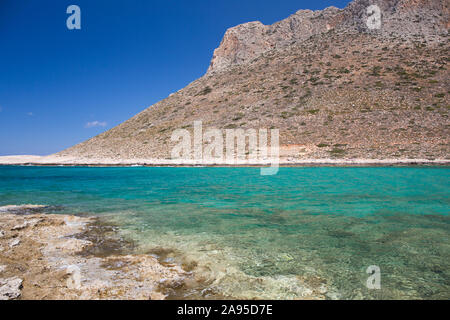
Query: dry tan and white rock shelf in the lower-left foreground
52 257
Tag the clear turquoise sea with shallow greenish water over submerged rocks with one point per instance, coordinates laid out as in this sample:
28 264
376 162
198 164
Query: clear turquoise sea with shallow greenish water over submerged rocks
274 237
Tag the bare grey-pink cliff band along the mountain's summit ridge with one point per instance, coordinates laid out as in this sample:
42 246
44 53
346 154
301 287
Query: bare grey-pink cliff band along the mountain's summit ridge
404 18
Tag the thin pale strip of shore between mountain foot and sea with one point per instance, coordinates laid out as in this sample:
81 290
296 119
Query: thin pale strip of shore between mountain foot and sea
71 161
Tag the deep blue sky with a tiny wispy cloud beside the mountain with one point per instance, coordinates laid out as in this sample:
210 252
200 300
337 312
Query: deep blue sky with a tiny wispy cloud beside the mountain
127 56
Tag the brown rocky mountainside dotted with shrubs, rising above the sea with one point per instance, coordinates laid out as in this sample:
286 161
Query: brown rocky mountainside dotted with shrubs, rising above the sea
332 86
